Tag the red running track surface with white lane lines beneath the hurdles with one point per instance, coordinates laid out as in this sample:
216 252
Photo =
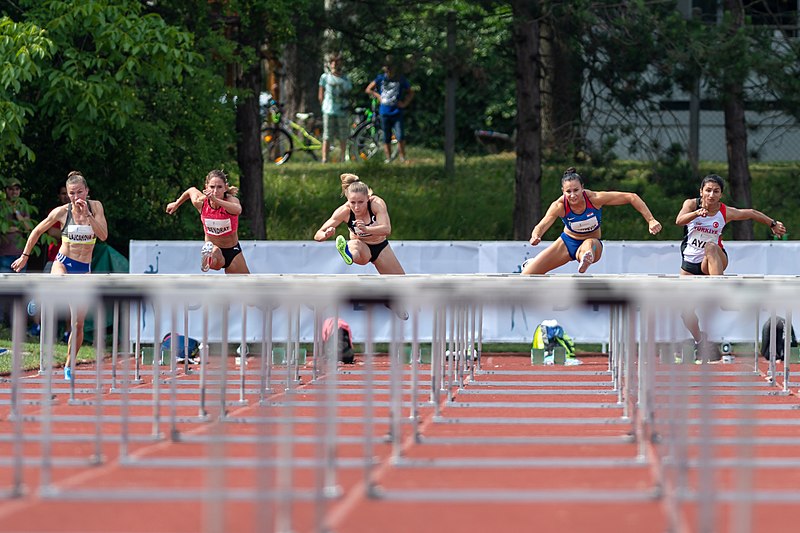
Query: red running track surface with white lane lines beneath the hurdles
519 448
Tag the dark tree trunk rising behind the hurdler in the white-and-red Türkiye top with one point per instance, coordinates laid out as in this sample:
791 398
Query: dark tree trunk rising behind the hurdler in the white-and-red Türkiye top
736 140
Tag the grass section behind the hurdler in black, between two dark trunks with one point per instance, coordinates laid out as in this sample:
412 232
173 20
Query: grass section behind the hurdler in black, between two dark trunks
423 203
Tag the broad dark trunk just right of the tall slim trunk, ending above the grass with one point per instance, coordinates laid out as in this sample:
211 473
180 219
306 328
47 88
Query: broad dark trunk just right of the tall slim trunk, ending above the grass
561 88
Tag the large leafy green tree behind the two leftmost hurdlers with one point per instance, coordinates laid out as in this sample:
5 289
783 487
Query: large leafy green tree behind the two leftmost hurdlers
111 100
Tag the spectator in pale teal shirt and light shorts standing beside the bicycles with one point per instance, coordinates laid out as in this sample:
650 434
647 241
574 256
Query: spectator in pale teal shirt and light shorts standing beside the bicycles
334 87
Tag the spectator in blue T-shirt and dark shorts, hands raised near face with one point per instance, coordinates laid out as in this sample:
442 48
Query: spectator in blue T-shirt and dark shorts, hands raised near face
395 94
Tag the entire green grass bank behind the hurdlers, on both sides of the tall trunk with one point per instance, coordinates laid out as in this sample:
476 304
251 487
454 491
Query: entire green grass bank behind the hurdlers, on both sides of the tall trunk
477 202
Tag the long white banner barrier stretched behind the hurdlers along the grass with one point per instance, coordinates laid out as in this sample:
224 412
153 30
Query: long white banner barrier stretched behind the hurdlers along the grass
511 324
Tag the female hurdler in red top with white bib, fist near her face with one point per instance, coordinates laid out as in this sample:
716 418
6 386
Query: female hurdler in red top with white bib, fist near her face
219 212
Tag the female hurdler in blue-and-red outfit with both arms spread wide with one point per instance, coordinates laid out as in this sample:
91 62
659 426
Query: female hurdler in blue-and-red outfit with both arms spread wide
581 211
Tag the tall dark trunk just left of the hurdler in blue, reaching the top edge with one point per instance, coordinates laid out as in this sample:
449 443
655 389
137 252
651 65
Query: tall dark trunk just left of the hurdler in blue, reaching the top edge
528 178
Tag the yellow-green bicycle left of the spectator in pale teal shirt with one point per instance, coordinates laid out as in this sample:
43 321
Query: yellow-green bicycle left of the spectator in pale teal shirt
280 137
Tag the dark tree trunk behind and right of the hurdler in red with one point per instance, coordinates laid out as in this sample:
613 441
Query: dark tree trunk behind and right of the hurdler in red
251 162
